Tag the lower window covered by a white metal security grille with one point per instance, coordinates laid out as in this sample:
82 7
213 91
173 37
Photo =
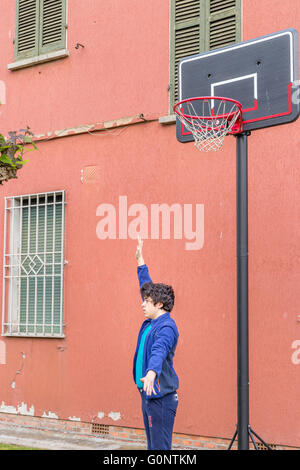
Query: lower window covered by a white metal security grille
33 265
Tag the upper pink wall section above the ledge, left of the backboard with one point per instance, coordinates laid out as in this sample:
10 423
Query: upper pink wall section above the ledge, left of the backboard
112 77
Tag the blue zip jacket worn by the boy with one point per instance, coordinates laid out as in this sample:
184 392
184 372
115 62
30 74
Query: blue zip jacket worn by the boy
159 347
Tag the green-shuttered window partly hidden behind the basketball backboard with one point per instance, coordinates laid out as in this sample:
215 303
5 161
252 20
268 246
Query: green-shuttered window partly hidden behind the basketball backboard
198 26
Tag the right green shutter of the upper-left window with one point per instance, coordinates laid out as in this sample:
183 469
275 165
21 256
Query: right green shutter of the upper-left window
52 32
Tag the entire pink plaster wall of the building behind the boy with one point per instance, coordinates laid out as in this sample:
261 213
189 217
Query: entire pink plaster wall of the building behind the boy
123 71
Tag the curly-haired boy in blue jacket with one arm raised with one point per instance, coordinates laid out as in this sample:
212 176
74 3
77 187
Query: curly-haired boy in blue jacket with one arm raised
153 370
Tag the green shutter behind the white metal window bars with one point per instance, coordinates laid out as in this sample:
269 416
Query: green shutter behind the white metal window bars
40 288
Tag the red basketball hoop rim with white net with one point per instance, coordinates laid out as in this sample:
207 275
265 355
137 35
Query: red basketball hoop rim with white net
210 119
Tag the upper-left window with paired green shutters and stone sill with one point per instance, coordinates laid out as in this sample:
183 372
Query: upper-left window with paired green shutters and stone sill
40 30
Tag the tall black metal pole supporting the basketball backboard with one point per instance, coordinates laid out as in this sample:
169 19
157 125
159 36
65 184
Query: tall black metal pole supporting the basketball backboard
242 290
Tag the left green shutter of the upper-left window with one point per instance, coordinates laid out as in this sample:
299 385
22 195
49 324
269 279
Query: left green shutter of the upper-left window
27 23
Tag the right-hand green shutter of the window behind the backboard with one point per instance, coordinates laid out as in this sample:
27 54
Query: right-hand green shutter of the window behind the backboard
223 23
